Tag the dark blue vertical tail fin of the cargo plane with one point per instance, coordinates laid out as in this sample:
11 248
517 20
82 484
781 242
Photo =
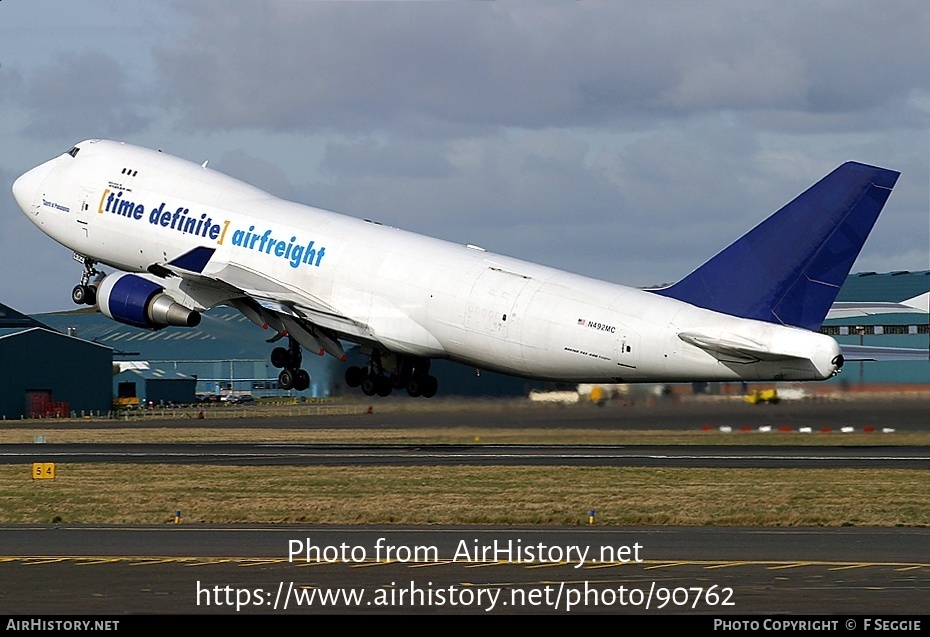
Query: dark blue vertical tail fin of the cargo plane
790 267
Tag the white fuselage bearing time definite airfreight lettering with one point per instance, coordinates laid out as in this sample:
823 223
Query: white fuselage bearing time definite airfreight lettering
131 208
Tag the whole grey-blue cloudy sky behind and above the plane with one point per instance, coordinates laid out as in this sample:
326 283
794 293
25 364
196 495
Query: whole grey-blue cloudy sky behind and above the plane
628 141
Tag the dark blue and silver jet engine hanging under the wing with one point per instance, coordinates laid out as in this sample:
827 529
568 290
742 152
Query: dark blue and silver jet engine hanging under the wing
130 299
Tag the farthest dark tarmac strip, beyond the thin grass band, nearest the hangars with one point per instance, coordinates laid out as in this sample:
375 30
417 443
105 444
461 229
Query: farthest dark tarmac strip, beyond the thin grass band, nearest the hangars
908 413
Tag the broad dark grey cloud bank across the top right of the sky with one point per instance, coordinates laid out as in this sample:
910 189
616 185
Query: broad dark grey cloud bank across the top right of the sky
364 66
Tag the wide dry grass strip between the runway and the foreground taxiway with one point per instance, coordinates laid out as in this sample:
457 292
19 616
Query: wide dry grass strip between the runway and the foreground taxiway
150 494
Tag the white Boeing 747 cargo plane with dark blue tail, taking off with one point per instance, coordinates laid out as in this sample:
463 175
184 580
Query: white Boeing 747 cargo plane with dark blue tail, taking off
187 238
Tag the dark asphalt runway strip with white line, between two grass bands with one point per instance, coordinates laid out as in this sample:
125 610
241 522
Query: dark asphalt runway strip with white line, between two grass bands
722 456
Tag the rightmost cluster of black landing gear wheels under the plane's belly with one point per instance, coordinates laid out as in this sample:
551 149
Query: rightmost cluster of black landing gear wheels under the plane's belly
387 372
